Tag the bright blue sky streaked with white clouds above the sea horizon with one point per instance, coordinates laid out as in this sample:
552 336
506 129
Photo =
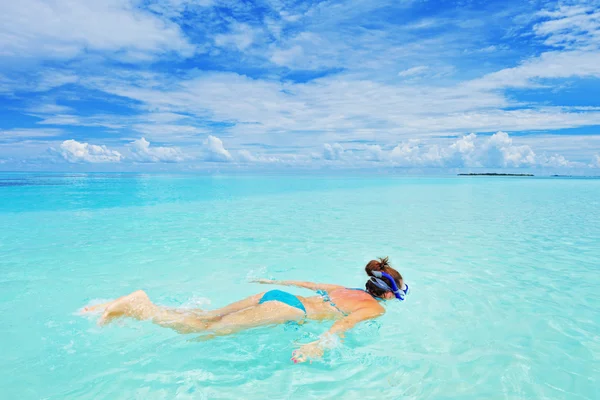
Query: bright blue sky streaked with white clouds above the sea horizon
201 84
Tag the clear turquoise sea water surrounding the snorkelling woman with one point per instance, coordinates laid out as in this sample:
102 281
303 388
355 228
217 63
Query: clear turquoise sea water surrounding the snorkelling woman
504 274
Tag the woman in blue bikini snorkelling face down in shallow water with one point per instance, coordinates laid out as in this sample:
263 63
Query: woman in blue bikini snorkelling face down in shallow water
346 306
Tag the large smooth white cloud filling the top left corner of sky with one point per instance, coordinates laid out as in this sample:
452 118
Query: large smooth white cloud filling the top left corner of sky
64 29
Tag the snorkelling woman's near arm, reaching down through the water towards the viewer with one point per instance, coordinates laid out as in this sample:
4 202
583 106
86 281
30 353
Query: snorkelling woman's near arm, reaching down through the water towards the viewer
316 349
